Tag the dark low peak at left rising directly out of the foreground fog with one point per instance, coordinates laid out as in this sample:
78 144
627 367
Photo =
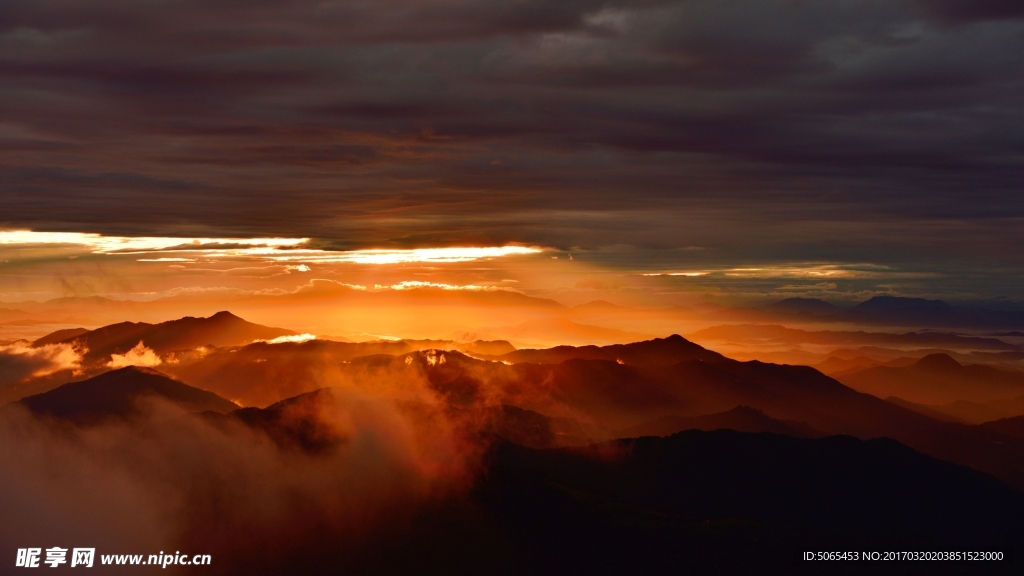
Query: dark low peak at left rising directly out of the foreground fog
119 395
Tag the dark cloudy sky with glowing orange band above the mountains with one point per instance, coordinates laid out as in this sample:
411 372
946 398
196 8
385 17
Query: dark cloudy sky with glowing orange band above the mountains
724 151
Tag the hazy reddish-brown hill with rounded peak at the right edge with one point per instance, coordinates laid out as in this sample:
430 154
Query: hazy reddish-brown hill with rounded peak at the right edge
938 380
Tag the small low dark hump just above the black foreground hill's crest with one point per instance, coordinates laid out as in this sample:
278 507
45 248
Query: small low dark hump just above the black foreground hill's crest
741 419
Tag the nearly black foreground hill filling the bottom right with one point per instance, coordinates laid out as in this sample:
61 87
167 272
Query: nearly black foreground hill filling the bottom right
729 503
